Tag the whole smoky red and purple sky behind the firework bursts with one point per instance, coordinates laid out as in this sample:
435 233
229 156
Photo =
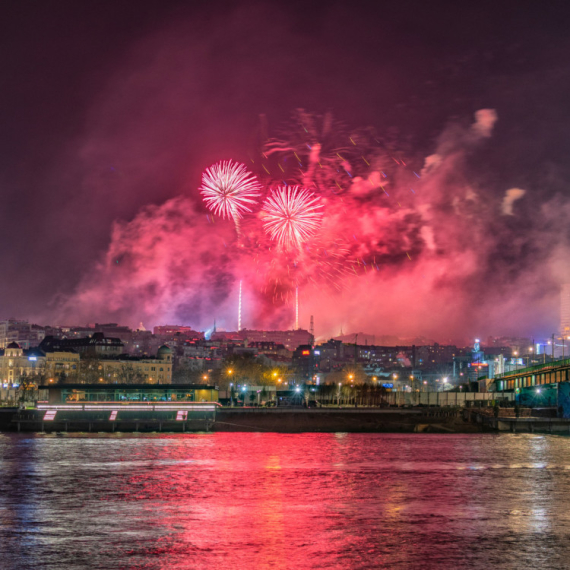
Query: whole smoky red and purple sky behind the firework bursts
104 149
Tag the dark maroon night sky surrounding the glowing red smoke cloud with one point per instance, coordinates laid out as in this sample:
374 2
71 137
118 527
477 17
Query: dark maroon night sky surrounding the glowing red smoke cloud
108 108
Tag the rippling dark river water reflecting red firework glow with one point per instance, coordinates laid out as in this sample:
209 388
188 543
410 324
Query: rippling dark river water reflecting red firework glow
284 501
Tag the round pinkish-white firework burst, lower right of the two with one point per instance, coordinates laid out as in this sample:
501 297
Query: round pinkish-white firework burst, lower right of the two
292 215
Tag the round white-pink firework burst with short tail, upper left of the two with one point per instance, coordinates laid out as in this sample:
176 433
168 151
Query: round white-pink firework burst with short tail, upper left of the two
229 190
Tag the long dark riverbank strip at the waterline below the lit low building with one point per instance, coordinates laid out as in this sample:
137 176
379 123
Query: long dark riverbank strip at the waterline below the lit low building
277 420
